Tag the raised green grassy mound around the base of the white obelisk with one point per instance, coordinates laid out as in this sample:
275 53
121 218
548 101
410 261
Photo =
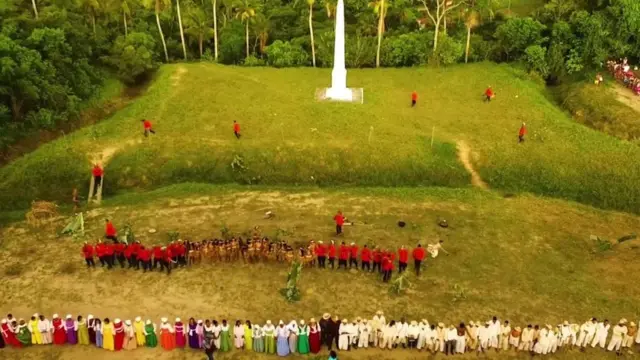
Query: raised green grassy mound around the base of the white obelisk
290 139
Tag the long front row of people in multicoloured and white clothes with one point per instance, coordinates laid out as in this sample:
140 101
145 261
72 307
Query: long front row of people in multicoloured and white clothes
302 338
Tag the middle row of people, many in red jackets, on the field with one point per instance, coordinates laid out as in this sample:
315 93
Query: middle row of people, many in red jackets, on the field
253 249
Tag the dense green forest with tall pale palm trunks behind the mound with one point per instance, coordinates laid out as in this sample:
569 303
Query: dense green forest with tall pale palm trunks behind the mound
55 54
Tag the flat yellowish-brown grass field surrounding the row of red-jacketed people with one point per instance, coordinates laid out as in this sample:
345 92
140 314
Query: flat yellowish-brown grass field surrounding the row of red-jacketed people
524 258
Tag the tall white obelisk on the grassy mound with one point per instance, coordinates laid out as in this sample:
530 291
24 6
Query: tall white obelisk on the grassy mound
338 90
